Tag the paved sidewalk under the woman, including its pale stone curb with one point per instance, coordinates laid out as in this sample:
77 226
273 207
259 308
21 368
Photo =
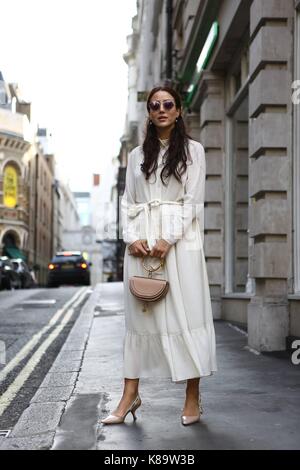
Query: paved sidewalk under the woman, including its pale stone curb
252 402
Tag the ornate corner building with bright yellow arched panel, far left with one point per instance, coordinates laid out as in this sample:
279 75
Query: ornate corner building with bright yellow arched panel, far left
15 143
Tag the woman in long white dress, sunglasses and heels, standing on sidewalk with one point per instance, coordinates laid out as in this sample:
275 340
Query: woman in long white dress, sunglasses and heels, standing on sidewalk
163 218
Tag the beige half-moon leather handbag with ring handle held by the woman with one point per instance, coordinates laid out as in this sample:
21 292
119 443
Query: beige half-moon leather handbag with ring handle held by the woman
148 289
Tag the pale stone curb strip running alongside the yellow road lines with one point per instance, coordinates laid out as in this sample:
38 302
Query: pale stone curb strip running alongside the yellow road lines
36 427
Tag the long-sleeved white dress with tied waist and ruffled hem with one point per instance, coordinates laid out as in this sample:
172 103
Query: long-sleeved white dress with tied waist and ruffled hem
175 336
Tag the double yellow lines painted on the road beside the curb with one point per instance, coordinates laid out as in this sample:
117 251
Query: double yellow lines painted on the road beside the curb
14 388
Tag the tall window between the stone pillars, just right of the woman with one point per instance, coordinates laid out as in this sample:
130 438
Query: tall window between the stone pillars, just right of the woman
237 241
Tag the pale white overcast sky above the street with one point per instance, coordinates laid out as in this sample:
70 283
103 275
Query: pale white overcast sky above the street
66 56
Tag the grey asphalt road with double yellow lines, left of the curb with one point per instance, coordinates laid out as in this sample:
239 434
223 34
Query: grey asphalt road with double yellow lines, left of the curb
34 325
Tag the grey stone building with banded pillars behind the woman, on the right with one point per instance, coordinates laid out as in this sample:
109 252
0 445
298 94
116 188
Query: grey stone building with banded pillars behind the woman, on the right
236 65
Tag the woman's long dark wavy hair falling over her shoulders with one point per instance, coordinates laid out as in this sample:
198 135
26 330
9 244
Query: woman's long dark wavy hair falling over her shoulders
177 153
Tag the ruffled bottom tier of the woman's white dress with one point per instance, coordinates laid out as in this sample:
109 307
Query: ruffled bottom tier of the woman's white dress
180 356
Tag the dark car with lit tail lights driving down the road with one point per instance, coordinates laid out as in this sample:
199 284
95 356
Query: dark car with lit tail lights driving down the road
68 267
